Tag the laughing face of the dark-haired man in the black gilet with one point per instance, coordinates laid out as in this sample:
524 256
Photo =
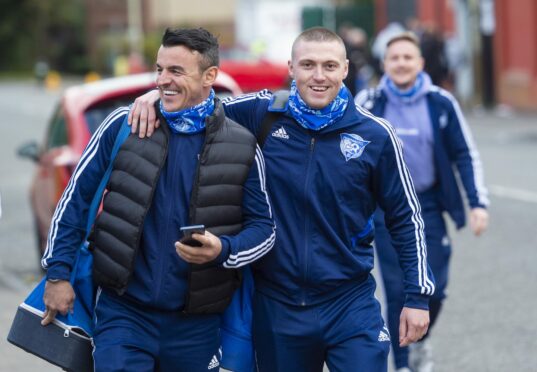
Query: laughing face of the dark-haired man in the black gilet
180 81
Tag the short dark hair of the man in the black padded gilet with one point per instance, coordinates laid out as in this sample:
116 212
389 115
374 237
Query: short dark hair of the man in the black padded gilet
197 39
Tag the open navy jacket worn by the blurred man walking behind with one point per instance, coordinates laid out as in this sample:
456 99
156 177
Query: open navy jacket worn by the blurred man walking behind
453 145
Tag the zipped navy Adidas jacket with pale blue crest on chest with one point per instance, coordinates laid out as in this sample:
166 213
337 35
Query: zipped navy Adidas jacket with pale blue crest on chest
324 188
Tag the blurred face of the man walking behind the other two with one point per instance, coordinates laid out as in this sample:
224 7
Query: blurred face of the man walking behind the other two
402 63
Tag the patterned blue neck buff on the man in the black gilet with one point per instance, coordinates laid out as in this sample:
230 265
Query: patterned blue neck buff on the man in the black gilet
190 120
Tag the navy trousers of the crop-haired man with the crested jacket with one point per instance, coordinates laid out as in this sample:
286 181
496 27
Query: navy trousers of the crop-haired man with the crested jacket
346 332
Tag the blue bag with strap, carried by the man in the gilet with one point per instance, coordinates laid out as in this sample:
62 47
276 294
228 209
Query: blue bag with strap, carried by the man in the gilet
67 341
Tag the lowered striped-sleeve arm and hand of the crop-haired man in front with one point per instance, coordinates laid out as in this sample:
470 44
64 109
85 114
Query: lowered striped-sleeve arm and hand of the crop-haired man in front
397 198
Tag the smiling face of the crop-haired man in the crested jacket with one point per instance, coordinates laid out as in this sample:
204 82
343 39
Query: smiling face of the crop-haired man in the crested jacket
318 67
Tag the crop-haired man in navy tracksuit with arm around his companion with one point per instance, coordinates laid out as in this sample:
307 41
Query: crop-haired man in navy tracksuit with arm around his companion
329 165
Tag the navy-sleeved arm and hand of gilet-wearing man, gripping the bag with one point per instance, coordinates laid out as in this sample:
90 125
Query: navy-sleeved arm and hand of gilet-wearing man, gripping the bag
68 226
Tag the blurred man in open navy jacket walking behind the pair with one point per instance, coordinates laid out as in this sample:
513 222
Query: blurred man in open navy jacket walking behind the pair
436 140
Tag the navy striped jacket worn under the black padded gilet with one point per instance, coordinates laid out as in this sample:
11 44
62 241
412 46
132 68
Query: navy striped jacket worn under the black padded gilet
160 275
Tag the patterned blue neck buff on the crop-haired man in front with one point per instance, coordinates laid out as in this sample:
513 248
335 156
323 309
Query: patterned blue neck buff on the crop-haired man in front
317 119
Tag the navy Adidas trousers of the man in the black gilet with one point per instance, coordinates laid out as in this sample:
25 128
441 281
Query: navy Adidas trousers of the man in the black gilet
130 337
